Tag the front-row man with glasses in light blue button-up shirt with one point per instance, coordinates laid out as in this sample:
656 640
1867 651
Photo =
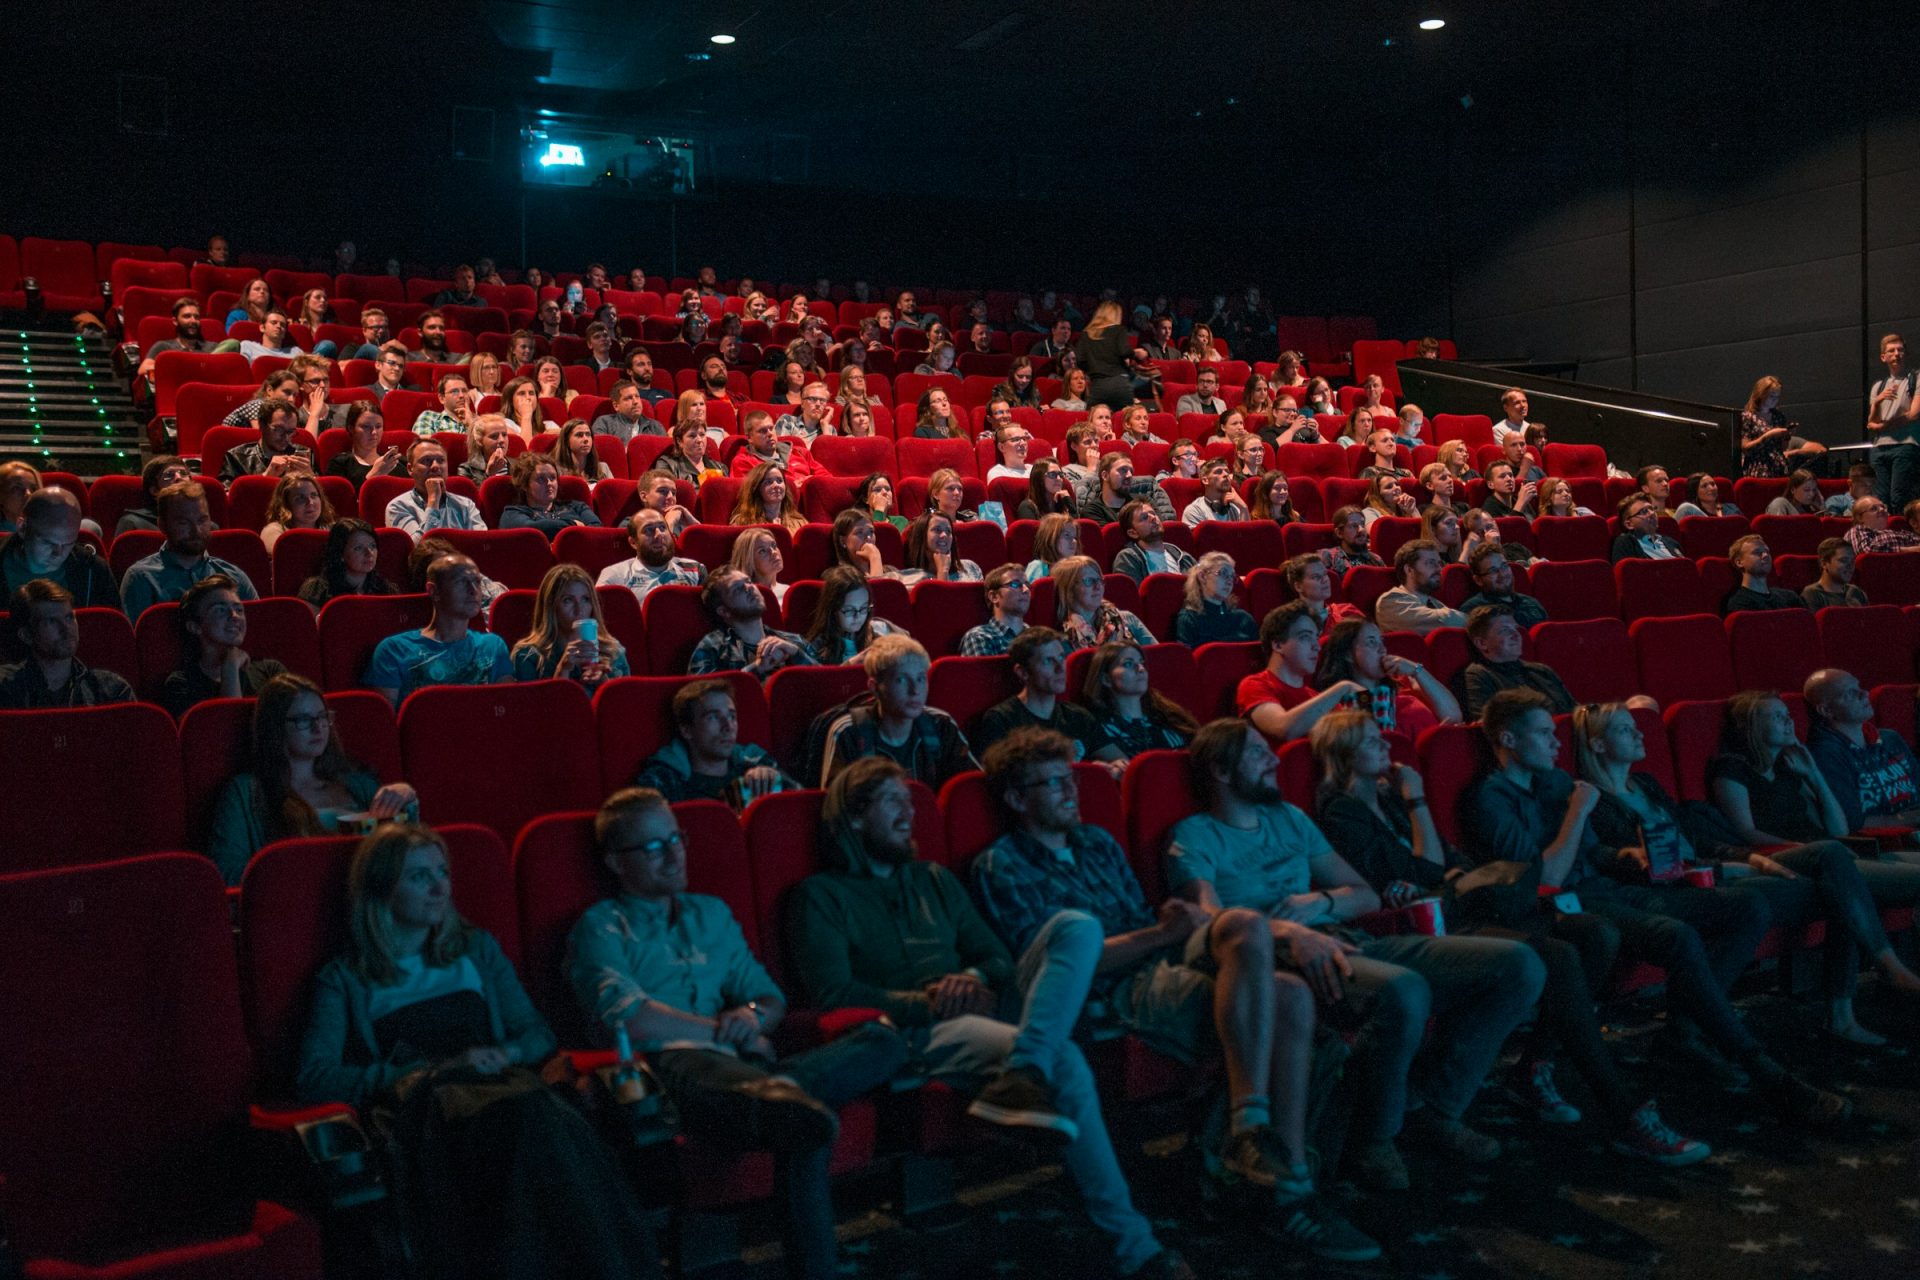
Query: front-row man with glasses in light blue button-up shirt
673 972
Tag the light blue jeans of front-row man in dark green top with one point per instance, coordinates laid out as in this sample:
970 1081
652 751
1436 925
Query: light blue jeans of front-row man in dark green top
1036 1030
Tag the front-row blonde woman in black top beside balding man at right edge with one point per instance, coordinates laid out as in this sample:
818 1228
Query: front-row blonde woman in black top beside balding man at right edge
1773 794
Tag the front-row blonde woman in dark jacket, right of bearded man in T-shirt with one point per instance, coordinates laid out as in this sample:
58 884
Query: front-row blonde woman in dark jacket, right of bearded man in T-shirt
1376 817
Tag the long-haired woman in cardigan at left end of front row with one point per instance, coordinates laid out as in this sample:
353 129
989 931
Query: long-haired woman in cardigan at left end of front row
423 1014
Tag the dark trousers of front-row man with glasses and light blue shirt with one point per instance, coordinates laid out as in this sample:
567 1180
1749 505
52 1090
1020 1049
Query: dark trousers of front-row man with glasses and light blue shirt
836 1074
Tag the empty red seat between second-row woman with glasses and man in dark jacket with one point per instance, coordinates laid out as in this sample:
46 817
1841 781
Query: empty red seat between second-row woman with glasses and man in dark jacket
468 757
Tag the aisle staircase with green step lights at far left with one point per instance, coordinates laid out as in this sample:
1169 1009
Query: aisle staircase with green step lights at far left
62 408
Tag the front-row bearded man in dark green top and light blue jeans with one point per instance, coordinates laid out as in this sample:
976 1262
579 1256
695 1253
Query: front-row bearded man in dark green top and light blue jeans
886 932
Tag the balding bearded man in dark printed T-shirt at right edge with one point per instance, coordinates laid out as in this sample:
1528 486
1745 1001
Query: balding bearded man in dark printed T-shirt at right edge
1869 770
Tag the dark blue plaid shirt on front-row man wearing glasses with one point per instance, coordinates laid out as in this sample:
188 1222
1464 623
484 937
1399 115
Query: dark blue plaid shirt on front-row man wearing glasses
1022 886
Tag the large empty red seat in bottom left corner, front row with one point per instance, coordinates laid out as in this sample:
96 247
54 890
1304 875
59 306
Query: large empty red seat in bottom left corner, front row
124 974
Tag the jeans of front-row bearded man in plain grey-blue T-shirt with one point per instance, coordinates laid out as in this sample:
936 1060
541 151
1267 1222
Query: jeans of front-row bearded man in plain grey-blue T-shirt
1476 989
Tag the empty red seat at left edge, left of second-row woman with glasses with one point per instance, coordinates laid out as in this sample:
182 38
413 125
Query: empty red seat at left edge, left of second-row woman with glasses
114 769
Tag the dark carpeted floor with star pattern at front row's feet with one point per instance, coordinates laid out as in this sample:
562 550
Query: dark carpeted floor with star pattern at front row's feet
1771 1202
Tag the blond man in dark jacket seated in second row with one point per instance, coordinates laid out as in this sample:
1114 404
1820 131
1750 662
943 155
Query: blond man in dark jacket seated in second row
900 724
